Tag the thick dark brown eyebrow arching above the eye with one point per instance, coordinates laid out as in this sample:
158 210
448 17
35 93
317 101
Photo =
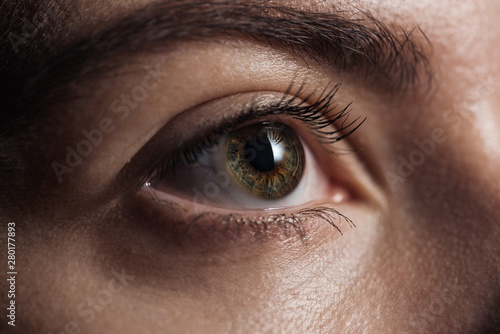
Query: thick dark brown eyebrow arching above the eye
340 39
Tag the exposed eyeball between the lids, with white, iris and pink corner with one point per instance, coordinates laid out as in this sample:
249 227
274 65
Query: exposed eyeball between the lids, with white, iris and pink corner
256 166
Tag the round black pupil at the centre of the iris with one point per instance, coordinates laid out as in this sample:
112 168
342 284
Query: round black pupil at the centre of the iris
260 154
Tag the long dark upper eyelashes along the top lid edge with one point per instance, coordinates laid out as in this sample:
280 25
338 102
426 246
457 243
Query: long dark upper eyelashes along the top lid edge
318 116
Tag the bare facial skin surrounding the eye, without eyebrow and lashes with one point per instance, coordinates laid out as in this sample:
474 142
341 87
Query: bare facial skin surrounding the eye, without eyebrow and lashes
424 256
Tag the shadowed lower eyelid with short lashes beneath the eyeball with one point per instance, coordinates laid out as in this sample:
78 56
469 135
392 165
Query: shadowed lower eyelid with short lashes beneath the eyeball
193 225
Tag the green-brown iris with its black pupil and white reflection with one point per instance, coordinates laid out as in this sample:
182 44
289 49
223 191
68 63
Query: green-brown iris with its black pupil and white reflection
267 159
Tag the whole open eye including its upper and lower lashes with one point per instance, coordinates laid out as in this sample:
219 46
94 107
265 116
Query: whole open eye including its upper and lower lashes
273 159
